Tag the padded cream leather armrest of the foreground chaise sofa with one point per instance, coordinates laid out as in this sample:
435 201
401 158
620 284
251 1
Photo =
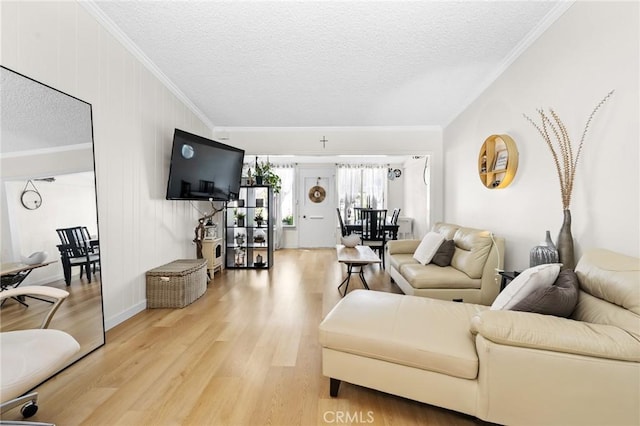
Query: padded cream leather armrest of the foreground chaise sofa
550 333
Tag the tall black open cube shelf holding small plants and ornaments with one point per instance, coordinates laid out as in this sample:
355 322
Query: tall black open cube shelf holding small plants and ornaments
249 225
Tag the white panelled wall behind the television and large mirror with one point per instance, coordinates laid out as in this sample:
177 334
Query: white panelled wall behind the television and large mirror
134 115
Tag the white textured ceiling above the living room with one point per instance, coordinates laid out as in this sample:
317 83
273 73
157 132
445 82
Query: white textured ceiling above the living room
329 63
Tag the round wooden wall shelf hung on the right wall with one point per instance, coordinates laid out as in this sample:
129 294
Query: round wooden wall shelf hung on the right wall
498 161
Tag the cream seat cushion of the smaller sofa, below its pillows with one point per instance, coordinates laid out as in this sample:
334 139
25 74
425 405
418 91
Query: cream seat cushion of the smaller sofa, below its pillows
434 276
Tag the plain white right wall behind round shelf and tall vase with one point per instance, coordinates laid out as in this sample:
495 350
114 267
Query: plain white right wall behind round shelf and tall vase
590 50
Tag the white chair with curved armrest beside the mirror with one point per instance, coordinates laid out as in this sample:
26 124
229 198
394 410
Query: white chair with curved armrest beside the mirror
29 357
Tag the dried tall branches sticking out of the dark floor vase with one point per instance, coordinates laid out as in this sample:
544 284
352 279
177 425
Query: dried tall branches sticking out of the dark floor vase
564 155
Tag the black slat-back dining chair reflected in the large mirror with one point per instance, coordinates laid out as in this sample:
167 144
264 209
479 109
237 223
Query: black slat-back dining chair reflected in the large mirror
75 250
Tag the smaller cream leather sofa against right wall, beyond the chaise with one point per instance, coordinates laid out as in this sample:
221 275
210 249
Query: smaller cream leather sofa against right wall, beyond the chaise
471 277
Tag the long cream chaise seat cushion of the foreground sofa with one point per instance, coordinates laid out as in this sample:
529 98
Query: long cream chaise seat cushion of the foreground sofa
406 330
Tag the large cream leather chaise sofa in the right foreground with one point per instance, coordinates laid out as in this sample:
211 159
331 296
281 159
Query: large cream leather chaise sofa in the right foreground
505 367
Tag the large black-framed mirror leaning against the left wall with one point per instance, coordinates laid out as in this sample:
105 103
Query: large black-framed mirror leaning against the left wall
47 181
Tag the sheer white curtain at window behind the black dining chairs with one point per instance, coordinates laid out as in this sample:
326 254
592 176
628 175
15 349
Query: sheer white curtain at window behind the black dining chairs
361 185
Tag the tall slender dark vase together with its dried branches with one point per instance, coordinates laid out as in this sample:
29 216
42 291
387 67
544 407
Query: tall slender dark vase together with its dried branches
565 158
